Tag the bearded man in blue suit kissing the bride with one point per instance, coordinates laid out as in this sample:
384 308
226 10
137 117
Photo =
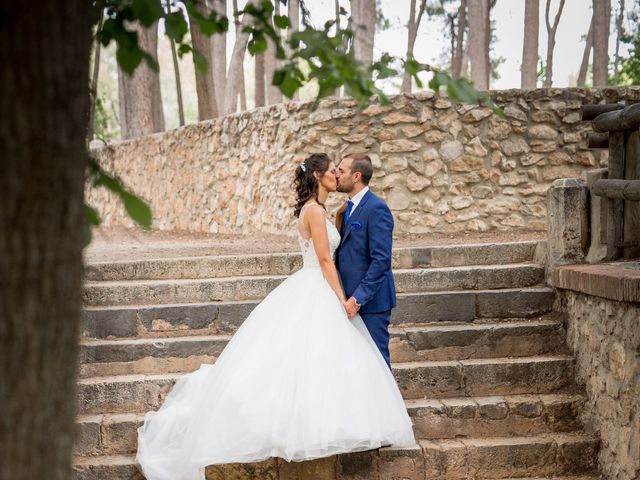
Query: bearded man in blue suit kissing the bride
364 255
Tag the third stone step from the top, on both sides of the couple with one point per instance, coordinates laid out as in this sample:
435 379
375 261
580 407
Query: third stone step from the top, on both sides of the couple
210 318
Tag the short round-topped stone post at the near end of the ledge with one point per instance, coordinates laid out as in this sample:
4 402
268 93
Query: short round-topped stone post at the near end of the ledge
567 225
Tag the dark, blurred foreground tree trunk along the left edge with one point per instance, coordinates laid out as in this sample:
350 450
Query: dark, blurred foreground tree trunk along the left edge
44 103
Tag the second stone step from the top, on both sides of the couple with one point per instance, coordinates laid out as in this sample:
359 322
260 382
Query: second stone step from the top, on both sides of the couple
132 292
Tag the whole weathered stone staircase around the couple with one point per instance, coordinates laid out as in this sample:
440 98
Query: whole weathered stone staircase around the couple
477 352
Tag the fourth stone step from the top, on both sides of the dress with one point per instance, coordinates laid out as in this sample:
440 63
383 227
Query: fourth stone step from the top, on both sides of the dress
427 342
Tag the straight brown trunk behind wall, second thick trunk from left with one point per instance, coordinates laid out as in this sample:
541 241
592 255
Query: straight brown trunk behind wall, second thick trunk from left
205 84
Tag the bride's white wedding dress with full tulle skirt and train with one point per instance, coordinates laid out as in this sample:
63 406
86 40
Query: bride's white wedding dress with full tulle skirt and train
298 380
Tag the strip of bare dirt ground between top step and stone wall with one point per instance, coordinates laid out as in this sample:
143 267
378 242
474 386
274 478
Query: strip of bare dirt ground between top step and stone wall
115 244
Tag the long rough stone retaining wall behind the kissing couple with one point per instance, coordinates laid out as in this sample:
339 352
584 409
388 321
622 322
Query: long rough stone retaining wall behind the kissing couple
441 167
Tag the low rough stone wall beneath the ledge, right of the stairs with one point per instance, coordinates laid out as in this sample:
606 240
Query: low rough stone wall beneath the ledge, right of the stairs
605 338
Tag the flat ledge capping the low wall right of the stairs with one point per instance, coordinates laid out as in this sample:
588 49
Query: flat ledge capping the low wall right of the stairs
615 281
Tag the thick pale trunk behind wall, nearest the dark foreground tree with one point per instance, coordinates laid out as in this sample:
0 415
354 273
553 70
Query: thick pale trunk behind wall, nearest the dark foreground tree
140 98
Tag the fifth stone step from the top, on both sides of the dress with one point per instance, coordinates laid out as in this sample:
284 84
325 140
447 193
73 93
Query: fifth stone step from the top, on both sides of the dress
442 379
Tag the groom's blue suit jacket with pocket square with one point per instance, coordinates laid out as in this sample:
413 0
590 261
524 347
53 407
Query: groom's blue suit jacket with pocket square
363 258
